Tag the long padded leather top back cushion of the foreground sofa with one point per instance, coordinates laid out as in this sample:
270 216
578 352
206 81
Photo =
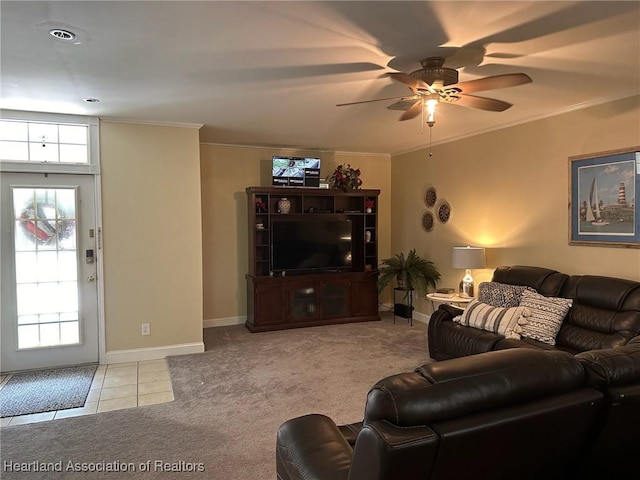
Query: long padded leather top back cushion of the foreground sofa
453 388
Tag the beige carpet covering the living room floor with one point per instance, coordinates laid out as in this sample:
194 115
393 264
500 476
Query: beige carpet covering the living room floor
229 403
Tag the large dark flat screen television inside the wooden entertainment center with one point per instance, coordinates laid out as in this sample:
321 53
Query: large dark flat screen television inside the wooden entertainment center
310 245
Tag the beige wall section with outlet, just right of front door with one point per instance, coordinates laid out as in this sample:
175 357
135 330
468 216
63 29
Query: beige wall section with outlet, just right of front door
151 235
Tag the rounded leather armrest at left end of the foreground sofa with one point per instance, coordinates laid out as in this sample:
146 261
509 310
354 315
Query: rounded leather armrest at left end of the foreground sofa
312 447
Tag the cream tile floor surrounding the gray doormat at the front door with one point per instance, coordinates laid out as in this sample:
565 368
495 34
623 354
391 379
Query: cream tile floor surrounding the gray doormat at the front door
114 387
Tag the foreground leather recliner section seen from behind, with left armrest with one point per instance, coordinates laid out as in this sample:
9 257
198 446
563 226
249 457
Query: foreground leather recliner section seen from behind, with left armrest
518 413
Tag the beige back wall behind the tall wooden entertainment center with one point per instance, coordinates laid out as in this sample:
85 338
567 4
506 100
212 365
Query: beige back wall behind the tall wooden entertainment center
225 173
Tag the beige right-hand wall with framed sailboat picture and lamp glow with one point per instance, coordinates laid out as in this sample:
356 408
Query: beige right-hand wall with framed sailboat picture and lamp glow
508 191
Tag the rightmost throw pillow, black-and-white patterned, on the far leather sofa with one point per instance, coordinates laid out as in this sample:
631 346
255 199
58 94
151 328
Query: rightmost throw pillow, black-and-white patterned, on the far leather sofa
544 316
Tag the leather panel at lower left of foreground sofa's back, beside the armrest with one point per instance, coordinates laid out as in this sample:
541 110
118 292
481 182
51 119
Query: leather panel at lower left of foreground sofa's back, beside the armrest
385 451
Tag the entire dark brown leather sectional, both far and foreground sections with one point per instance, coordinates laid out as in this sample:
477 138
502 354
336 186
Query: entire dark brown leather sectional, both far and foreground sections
492 410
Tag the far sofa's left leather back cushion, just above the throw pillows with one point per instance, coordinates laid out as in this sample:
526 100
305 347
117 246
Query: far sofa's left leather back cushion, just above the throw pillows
544 280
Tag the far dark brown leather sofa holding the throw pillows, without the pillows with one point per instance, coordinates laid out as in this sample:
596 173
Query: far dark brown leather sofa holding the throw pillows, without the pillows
605 314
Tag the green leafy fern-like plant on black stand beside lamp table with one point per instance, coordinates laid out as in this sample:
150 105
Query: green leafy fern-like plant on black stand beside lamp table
411 272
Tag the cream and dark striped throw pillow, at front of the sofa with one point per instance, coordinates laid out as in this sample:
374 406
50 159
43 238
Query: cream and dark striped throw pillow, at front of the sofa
503 321
